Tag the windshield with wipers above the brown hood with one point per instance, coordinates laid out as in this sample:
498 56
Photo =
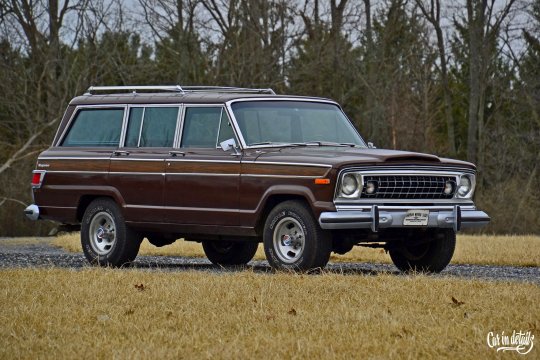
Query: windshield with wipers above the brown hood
294 123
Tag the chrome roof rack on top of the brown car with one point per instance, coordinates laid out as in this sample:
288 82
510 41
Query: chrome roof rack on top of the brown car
178 89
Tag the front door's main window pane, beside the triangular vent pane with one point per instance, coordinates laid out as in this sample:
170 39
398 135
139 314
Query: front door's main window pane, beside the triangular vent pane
201 126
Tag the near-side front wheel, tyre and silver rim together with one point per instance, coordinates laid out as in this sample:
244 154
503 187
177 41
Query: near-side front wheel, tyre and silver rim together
293 239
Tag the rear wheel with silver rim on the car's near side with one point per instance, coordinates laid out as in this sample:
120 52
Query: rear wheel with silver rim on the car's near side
105 238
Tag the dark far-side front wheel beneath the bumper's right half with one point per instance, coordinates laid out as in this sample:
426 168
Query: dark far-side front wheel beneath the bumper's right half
431 256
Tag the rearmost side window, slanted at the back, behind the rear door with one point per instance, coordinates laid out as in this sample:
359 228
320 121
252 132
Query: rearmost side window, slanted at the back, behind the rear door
95 127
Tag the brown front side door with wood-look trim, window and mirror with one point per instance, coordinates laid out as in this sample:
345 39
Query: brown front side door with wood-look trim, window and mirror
202 180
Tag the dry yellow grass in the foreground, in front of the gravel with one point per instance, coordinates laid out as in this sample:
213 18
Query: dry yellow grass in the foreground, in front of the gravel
105 313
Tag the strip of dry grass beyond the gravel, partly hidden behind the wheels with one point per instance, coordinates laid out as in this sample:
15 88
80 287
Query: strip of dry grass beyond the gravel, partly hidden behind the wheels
470 249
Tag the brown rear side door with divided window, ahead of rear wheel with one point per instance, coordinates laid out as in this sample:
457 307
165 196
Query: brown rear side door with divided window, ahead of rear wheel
137 169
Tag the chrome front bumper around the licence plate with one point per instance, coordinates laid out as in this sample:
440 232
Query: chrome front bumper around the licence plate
375 219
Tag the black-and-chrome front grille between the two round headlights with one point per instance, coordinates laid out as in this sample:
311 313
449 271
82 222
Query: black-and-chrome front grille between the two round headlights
408 187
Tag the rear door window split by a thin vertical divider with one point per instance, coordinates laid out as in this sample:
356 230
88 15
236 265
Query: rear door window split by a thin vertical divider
151 126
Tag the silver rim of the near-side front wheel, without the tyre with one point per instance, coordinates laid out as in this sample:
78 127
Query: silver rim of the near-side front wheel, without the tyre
289 240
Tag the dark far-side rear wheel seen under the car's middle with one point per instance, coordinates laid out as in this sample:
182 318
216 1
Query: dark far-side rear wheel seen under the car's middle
230 252
